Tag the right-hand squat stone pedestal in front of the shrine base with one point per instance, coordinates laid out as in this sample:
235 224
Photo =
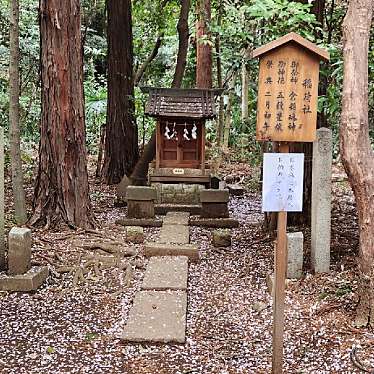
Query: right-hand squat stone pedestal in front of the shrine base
214 203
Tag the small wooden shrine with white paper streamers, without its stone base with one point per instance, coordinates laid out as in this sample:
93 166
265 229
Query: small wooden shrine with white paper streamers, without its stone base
180 132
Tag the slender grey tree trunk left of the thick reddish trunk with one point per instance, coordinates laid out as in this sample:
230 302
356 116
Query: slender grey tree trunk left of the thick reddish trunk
14 89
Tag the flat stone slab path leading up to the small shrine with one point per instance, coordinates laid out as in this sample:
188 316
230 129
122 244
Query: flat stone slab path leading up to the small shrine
159 310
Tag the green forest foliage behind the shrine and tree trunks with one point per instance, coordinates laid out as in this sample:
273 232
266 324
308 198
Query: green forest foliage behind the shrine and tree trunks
236 28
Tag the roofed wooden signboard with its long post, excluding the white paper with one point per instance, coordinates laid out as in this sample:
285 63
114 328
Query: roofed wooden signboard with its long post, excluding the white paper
286 112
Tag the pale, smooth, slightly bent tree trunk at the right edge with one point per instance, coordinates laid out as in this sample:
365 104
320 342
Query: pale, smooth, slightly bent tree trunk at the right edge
357 154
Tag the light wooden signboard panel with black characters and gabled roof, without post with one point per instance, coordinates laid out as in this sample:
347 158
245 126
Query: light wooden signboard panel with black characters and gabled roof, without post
288 89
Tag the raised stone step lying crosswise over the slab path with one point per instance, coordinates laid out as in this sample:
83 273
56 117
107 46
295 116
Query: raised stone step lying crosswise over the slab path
168 249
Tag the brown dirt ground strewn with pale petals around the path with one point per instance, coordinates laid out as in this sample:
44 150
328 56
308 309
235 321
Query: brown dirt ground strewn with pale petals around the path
70 326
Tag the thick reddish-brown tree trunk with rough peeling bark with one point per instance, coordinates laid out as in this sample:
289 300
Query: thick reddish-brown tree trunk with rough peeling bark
61 190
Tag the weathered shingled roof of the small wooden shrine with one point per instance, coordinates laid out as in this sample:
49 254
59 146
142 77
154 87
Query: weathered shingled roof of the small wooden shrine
181 103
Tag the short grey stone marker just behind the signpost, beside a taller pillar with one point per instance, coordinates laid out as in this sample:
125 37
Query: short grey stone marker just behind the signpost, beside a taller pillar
295 248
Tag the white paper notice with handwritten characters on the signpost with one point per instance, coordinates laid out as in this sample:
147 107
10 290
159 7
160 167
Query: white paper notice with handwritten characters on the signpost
282 187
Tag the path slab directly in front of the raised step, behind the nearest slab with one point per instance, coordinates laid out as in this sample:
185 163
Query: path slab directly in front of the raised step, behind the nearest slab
166 273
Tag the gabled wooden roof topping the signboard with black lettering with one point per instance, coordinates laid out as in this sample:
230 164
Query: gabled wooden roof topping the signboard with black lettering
295 38
